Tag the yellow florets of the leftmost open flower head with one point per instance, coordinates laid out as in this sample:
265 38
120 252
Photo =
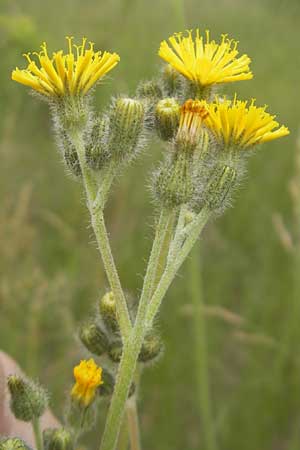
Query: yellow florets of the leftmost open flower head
73 73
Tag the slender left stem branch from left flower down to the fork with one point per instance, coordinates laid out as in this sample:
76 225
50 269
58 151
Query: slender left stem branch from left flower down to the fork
99 227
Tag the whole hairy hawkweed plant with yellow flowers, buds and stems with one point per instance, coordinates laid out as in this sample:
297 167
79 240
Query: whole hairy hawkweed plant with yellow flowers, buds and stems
208 139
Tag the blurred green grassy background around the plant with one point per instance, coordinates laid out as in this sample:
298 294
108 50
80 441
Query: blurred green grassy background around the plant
51 273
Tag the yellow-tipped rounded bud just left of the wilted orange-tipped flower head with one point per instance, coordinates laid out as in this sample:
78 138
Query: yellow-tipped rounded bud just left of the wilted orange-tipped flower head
167 114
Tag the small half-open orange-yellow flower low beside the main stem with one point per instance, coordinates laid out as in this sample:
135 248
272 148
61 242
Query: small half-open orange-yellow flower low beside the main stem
88 377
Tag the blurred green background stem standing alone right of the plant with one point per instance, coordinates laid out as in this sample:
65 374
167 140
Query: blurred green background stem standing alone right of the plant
201 355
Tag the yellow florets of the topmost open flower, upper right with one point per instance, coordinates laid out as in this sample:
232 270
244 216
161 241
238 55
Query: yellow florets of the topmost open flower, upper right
205 62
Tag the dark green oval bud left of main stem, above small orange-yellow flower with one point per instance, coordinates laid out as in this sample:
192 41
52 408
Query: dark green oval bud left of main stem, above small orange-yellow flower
93 338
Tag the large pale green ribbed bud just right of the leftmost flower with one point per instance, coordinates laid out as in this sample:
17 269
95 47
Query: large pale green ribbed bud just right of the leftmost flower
126 128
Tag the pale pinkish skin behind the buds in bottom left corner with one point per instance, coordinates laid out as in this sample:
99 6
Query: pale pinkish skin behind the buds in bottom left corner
9 425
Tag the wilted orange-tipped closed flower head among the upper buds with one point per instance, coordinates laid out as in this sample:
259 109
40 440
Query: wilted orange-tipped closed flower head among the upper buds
192 115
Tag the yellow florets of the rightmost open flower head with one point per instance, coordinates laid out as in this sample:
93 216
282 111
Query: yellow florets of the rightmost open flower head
239 124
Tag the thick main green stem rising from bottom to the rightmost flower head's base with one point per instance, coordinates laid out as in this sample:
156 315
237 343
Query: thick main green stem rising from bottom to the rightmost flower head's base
132 347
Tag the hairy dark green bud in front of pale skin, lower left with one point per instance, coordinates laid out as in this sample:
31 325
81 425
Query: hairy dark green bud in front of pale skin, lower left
28 399
